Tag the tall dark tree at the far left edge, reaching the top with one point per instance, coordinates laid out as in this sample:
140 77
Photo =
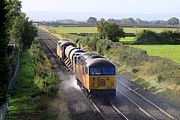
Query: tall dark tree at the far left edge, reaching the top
9 13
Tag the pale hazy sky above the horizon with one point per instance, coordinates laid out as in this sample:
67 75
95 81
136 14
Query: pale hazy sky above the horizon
103 6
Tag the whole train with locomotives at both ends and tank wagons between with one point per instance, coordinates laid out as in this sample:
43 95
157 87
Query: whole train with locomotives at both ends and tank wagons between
95 73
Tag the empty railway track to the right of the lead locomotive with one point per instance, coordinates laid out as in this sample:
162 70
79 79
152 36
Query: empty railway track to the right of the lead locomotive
152 110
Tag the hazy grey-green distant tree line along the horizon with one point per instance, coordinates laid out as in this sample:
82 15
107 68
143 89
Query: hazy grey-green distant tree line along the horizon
125 22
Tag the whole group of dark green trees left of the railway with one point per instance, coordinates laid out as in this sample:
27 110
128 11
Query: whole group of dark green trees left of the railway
16 28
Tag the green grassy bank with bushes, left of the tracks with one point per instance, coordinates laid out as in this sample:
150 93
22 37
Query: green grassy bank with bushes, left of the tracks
35 95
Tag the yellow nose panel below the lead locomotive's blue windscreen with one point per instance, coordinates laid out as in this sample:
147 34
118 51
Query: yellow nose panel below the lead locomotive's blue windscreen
102 82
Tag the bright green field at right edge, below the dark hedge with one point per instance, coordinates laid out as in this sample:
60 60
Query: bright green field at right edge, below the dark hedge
168 51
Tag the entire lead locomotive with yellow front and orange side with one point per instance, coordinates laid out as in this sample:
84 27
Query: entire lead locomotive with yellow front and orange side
96 74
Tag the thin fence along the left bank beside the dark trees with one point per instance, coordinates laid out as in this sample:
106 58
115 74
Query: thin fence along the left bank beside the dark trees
3 108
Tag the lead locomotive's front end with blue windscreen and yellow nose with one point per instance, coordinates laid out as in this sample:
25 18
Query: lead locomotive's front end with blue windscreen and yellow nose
102 77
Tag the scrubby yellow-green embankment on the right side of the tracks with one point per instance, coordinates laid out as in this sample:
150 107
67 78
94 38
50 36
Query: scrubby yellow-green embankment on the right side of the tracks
157 74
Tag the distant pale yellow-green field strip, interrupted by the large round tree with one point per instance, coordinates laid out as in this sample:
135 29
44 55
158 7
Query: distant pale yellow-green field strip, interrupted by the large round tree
94 29
